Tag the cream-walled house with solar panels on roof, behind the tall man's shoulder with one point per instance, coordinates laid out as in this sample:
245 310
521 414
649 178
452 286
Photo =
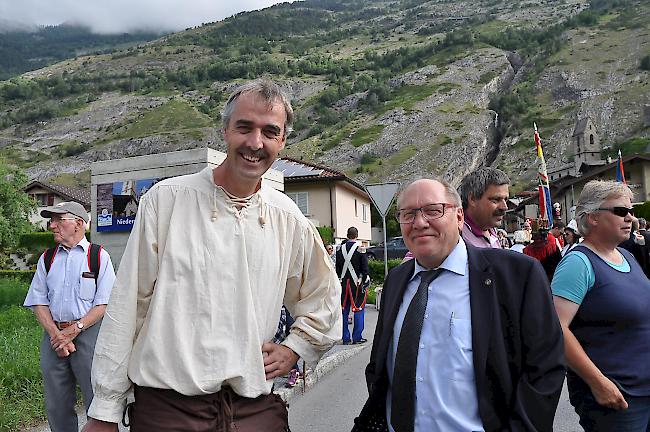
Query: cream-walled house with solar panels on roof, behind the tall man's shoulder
327 197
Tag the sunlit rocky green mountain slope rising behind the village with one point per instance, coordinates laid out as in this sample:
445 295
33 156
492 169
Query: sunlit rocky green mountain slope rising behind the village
382 90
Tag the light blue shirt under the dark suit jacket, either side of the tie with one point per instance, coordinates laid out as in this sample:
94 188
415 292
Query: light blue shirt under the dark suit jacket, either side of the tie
446 396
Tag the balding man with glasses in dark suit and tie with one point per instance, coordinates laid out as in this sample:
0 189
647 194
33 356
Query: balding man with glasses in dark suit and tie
467 338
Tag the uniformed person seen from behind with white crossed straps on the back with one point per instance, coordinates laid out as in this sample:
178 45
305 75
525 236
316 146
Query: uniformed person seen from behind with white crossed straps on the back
352 268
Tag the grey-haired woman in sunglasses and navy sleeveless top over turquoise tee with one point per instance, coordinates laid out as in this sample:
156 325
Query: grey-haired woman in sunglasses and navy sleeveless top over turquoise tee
602 298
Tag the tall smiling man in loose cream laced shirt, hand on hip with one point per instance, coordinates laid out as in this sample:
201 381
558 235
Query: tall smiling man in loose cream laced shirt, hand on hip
211 259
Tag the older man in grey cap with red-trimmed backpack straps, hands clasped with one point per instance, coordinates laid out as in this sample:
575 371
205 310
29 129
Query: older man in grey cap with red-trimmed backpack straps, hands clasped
68 295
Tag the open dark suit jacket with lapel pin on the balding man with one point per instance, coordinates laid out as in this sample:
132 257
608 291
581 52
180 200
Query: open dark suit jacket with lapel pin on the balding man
517 343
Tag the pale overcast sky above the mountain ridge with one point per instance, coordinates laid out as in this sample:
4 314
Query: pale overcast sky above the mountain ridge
118 16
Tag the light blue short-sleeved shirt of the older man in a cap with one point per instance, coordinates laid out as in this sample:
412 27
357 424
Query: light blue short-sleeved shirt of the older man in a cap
68 295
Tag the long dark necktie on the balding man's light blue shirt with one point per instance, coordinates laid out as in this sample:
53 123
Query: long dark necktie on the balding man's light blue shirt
406 359
